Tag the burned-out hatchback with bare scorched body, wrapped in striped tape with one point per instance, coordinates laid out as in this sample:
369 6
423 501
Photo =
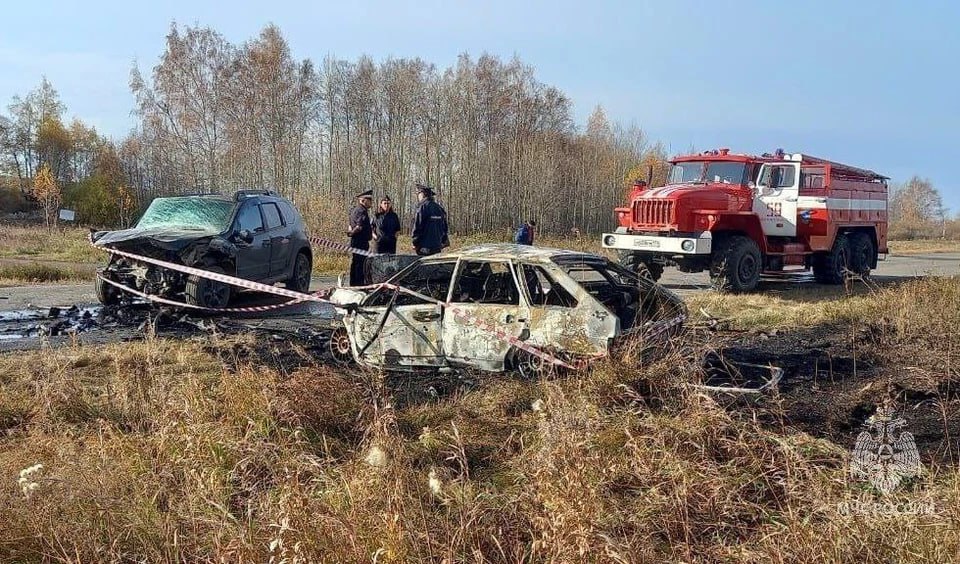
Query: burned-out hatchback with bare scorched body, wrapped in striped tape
569 304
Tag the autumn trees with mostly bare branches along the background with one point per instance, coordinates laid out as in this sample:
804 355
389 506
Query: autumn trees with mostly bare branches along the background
499 145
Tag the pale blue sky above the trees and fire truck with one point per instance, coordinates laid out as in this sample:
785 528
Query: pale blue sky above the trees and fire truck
873 84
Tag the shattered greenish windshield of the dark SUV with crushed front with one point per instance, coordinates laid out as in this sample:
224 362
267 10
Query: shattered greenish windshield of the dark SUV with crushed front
188 212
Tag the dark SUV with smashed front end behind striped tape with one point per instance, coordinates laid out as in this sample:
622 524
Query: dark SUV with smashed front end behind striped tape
255 235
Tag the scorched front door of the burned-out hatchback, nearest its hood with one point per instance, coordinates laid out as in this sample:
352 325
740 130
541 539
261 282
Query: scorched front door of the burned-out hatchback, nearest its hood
410 333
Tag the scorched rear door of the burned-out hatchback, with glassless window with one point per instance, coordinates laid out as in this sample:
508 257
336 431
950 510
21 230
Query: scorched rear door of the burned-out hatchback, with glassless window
488 291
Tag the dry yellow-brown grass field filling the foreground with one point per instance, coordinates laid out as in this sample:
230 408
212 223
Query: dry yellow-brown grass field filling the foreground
238 449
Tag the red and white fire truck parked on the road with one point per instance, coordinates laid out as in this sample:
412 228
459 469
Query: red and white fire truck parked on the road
740 216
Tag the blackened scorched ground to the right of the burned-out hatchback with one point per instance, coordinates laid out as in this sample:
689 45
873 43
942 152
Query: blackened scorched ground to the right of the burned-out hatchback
834 379
